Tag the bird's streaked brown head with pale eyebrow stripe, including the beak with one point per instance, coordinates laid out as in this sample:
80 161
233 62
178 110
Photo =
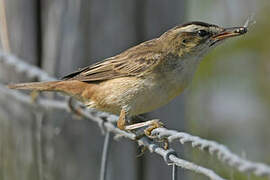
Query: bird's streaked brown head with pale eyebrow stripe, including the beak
196 38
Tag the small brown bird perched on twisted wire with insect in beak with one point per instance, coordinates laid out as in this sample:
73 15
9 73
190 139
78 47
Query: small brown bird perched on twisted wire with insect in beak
142 78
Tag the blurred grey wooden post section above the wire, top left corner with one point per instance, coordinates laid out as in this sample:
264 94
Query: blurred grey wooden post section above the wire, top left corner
21 19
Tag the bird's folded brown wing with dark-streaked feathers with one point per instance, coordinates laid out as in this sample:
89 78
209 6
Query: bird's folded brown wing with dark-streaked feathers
133 62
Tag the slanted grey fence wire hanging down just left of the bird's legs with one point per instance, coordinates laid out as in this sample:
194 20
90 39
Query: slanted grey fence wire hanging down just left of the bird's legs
104 157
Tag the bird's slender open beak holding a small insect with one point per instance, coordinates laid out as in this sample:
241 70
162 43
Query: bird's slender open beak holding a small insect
229 32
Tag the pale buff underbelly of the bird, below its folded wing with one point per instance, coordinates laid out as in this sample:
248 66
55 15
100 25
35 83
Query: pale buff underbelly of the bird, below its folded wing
136 97
